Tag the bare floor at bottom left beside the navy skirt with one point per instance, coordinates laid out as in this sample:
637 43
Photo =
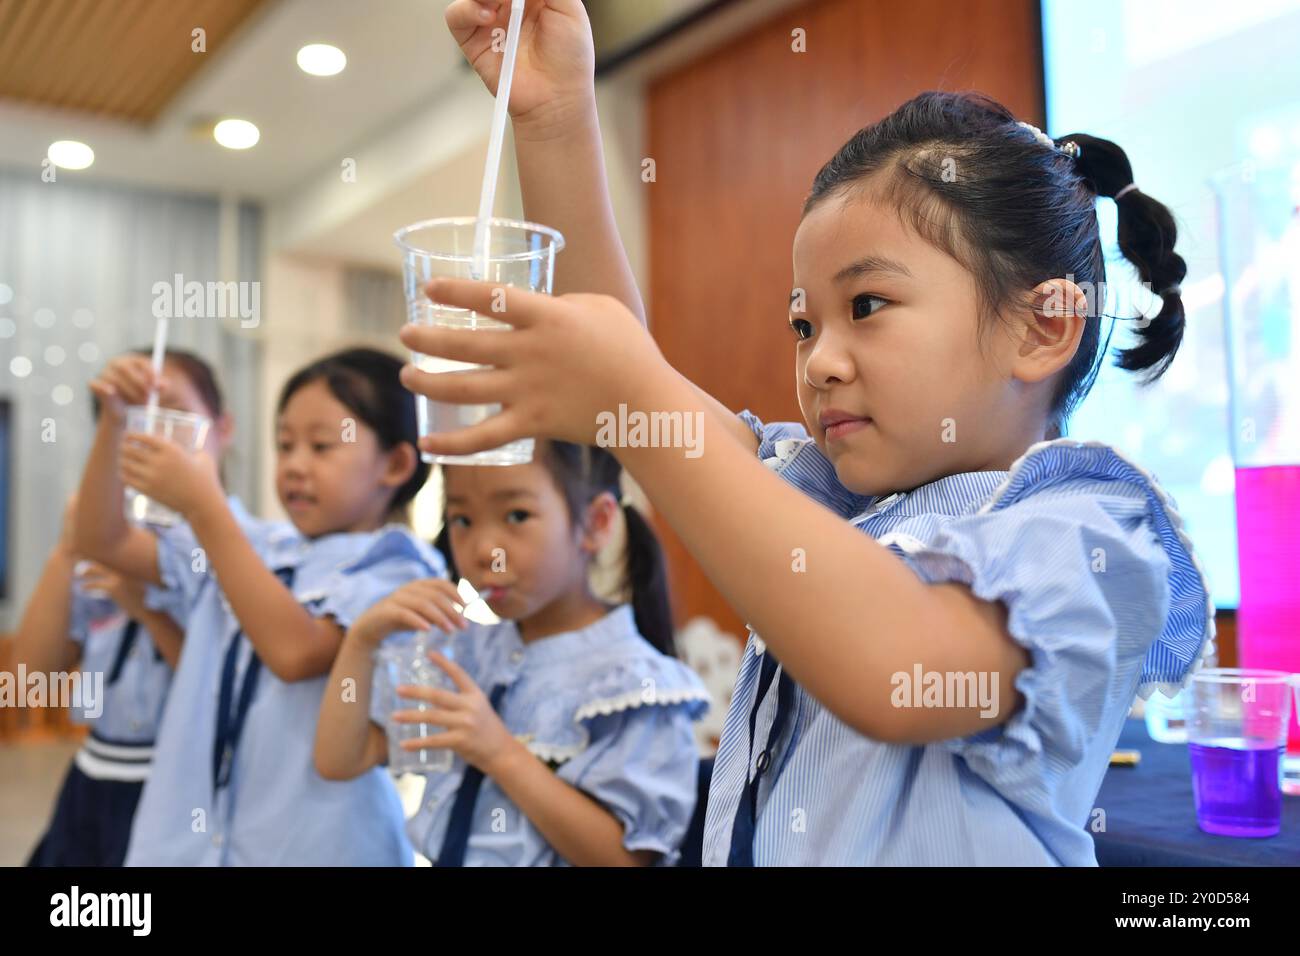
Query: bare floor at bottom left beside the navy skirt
31 775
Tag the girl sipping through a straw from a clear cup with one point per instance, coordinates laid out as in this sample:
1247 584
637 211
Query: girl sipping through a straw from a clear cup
571 721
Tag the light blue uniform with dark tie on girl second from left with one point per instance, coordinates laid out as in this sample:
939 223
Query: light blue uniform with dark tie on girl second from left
245 793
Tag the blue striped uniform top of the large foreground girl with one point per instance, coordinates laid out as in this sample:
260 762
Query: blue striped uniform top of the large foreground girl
1102 587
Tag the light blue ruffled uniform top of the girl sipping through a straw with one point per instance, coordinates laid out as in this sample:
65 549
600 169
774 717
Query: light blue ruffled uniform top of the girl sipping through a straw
606 711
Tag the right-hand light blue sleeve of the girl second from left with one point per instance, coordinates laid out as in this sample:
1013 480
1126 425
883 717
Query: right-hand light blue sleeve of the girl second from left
395 559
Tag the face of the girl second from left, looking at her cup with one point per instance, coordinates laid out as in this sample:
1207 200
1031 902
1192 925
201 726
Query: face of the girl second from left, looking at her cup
331 473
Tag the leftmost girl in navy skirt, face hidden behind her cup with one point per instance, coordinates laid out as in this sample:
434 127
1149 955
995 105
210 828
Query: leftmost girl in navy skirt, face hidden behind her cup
97 620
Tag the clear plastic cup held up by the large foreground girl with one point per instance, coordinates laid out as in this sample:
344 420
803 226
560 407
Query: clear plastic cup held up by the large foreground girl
521 256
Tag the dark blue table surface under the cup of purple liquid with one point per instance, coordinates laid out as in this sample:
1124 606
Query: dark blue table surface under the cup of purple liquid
1151 819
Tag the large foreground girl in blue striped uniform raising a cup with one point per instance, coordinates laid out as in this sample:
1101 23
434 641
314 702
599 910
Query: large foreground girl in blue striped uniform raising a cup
925 525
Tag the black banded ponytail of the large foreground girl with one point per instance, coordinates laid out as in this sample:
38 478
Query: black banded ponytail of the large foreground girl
1147 236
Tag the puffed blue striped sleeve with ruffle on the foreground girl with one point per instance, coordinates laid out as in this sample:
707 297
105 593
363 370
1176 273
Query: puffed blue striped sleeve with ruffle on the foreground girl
1102 589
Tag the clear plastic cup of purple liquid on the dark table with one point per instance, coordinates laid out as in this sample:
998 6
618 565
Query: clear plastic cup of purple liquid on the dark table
1237 729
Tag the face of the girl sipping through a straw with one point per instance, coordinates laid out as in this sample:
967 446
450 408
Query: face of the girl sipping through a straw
513 539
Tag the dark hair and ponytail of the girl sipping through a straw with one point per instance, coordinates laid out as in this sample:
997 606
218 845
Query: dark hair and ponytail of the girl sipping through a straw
582 473
